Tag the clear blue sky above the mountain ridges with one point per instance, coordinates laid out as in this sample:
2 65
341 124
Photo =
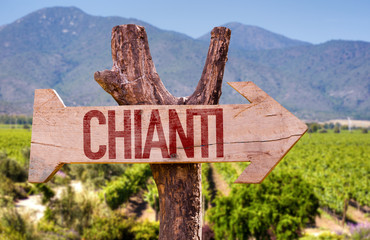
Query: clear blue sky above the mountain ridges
314 21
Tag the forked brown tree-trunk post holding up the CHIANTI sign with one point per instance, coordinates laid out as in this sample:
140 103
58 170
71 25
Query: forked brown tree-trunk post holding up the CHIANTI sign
133 80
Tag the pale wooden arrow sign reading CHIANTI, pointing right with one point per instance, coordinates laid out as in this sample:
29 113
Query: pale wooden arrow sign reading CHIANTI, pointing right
261 132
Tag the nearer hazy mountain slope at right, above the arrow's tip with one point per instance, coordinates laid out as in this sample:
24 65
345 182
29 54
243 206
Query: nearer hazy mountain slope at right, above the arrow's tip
317 81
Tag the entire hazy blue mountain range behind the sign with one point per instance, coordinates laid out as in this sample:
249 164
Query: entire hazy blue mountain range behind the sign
62 47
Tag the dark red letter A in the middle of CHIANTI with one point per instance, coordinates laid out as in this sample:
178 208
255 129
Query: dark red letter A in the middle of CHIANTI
155 123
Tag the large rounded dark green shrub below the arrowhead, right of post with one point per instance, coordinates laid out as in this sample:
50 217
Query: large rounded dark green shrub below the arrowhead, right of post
278 208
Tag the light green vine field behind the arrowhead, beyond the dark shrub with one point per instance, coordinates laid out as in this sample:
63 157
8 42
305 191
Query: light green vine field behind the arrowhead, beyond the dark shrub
336 165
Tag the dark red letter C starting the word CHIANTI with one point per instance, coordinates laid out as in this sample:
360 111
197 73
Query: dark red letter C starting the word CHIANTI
87 134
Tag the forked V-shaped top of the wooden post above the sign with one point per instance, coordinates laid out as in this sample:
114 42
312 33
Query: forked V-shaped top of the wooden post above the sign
133 79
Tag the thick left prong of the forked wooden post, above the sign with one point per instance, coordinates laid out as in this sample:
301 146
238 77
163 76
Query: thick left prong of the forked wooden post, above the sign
133 79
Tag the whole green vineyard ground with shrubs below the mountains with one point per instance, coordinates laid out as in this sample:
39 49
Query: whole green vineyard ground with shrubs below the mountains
324 173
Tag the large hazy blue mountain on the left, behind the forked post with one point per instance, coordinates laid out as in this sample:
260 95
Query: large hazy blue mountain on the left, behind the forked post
61 48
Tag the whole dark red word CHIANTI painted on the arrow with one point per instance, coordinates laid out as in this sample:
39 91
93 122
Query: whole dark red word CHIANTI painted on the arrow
155 124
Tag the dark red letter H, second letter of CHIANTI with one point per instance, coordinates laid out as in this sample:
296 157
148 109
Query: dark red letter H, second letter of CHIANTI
113 134
